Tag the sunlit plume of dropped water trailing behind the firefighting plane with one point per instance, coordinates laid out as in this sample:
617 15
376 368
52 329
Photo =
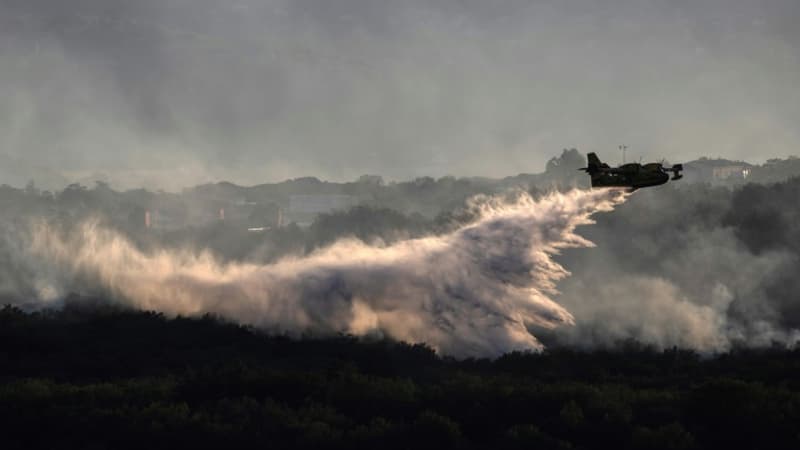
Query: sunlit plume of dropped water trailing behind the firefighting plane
472 292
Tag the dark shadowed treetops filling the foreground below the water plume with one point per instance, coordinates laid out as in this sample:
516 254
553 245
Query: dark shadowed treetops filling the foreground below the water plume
103 377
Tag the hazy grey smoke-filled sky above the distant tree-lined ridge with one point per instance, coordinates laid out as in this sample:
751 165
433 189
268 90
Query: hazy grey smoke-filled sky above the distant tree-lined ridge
176 92
